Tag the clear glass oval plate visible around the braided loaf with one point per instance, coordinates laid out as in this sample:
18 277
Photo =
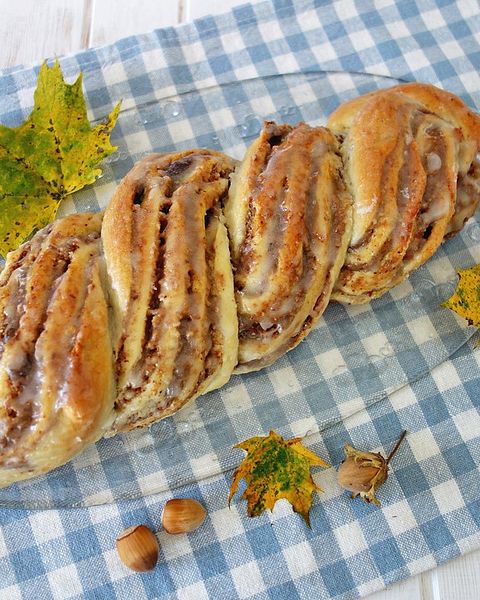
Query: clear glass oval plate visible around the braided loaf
354 356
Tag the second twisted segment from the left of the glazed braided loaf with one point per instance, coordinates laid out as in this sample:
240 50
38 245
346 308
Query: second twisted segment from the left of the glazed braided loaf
168 262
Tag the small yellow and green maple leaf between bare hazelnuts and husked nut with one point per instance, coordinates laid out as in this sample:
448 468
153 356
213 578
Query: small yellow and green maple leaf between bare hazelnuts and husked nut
275 468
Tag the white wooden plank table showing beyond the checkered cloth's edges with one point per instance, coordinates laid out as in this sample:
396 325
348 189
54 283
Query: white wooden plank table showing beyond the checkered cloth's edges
31 30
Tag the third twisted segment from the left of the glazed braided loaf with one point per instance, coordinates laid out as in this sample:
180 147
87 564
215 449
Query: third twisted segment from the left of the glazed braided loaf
289 219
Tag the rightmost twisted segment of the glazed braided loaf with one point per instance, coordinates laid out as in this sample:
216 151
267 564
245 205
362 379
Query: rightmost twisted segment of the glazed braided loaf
411 168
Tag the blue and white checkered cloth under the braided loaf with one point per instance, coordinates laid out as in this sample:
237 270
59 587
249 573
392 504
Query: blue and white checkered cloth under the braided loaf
362 376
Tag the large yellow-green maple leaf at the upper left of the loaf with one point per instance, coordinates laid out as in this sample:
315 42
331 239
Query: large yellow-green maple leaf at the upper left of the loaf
53 153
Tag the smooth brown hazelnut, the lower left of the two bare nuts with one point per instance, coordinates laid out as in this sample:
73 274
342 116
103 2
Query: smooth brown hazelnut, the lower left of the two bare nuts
138 548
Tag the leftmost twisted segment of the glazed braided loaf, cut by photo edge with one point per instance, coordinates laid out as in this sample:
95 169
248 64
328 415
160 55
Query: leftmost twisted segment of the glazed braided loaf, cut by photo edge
57 385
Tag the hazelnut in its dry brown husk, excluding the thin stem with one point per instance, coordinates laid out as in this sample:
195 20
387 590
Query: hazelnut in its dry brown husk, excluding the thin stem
362 473
